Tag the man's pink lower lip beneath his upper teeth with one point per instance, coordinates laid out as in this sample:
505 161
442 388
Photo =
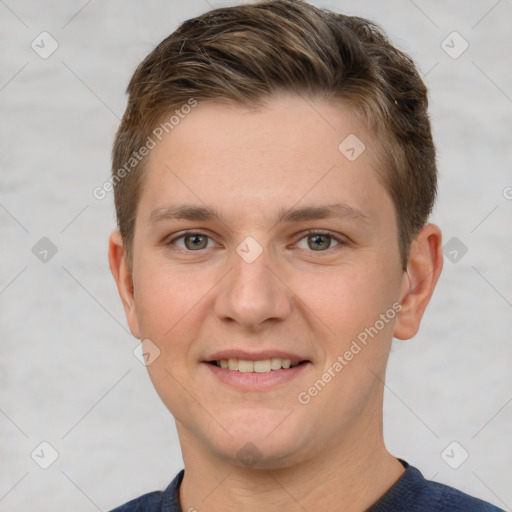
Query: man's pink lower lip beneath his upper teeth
253 381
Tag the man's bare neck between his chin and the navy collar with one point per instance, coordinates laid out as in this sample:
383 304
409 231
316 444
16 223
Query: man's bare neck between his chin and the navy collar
348 474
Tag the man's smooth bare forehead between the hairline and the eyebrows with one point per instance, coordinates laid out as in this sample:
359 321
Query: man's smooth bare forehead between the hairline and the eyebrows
292 150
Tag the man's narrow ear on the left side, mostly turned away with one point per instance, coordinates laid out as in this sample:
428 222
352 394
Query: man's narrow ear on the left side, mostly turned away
123 278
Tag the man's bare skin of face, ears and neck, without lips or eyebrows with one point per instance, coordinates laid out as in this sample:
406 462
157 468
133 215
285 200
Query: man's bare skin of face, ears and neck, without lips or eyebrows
298 296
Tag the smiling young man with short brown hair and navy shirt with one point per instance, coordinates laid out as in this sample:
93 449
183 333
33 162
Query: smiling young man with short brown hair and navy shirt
273 174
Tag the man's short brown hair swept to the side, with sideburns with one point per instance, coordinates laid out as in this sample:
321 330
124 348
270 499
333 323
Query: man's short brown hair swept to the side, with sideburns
245 54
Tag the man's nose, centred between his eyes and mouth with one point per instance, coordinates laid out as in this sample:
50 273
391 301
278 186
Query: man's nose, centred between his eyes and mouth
253 293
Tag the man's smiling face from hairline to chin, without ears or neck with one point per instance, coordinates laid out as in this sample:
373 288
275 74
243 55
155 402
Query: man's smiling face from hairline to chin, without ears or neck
260 244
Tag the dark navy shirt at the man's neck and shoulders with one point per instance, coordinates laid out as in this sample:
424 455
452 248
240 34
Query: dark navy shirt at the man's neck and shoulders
410 493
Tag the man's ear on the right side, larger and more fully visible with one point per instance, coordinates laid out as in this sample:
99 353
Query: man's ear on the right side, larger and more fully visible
423 270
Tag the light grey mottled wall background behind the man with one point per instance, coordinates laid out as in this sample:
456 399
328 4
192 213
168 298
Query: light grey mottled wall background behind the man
67 372
